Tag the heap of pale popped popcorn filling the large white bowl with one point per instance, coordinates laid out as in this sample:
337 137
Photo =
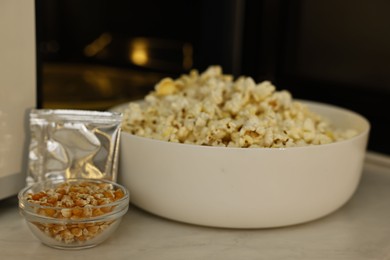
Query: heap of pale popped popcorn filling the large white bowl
213 109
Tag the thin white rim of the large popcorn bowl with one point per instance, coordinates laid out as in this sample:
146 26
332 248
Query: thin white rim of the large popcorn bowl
364 132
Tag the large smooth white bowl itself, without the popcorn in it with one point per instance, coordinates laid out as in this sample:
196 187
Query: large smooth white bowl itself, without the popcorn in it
245 187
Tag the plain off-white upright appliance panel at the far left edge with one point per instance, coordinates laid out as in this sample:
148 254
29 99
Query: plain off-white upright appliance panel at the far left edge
18 92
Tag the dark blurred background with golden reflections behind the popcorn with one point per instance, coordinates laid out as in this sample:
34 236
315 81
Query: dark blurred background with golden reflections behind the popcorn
96 54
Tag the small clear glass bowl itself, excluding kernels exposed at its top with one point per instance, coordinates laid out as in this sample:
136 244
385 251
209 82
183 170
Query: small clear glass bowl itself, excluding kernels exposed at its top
62 226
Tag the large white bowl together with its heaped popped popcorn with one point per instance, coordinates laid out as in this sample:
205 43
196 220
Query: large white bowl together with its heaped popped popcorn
208 149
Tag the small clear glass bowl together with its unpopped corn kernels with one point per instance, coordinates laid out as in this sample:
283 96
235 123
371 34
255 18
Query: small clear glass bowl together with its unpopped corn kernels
73 214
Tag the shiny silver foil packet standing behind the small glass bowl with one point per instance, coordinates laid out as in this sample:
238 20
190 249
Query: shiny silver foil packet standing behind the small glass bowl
68 144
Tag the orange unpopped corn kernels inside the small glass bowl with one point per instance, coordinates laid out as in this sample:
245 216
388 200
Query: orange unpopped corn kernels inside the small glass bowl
75 201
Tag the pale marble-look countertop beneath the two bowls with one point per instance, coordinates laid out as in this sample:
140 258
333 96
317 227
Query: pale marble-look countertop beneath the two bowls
359 230
